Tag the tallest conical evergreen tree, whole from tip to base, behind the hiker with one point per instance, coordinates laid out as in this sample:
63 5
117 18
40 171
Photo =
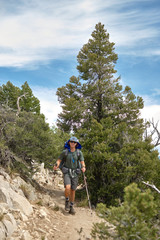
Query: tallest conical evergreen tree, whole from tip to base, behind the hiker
106 117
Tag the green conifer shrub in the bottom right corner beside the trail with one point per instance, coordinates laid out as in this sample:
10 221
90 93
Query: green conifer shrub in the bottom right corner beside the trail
135 219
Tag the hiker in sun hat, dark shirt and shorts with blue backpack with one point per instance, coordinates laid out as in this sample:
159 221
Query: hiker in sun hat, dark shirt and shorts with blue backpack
73 163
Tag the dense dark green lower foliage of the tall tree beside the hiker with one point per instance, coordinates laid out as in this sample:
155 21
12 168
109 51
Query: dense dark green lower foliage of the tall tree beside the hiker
113 162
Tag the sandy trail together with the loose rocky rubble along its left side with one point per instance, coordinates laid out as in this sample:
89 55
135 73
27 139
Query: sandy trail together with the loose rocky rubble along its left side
53 222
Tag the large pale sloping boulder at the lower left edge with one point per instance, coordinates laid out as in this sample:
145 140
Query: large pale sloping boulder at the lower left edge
12 200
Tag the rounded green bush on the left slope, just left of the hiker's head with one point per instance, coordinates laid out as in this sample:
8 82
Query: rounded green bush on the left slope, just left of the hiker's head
31 137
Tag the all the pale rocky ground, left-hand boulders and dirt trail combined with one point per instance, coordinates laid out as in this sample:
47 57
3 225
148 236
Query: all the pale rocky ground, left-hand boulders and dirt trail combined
48 220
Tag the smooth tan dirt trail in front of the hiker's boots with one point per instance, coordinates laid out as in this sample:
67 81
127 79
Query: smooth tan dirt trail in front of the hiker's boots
74 227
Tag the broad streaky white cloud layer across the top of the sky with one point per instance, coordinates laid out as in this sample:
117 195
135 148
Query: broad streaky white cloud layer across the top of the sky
37 31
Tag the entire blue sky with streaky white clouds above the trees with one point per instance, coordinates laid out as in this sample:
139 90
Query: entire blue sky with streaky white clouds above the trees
40 41
